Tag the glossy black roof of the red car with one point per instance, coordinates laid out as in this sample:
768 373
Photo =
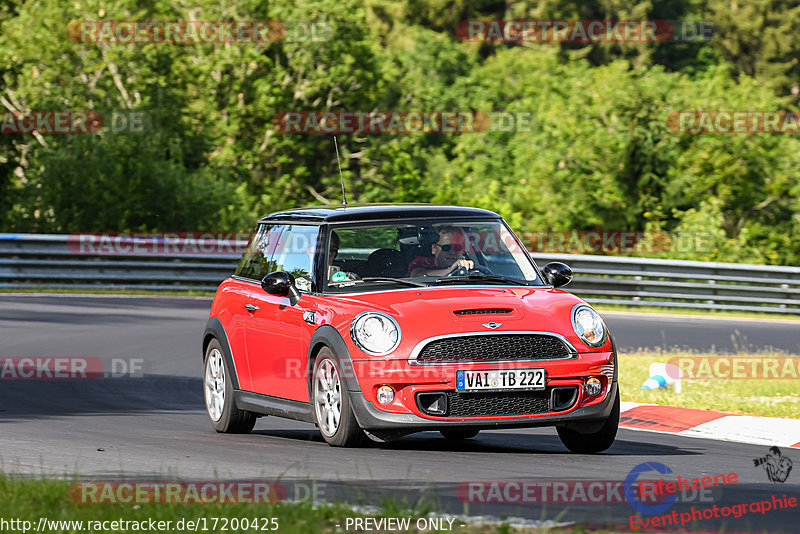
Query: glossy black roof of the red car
372 212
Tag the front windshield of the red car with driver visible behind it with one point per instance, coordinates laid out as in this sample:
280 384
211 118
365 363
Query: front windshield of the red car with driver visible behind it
425 253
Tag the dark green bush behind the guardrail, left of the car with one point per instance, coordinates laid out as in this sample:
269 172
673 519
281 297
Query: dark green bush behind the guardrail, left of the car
128 183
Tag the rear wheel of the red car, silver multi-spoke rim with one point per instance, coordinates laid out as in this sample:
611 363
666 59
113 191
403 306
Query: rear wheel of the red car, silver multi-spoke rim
218 393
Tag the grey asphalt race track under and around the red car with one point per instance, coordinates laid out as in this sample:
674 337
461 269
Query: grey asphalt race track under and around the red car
154 426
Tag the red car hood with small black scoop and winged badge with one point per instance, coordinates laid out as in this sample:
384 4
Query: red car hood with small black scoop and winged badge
427 312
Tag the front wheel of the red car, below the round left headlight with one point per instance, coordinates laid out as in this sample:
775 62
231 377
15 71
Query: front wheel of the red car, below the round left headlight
329 398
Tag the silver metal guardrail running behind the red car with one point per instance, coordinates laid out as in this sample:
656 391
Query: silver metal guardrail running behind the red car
58 261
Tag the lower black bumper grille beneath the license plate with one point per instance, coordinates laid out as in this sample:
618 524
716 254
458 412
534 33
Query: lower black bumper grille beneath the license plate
498 403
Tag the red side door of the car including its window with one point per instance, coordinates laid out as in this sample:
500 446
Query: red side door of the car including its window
276 331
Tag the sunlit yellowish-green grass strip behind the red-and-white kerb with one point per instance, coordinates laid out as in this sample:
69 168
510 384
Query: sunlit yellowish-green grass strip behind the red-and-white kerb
772 398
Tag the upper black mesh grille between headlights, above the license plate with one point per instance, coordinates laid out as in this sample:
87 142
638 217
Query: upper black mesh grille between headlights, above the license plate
497 347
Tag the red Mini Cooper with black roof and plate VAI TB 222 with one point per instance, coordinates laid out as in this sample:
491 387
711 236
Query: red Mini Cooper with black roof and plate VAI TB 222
382 320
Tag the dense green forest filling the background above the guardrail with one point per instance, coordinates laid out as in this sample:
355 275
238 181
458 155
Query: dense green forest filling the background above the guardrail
598 153
